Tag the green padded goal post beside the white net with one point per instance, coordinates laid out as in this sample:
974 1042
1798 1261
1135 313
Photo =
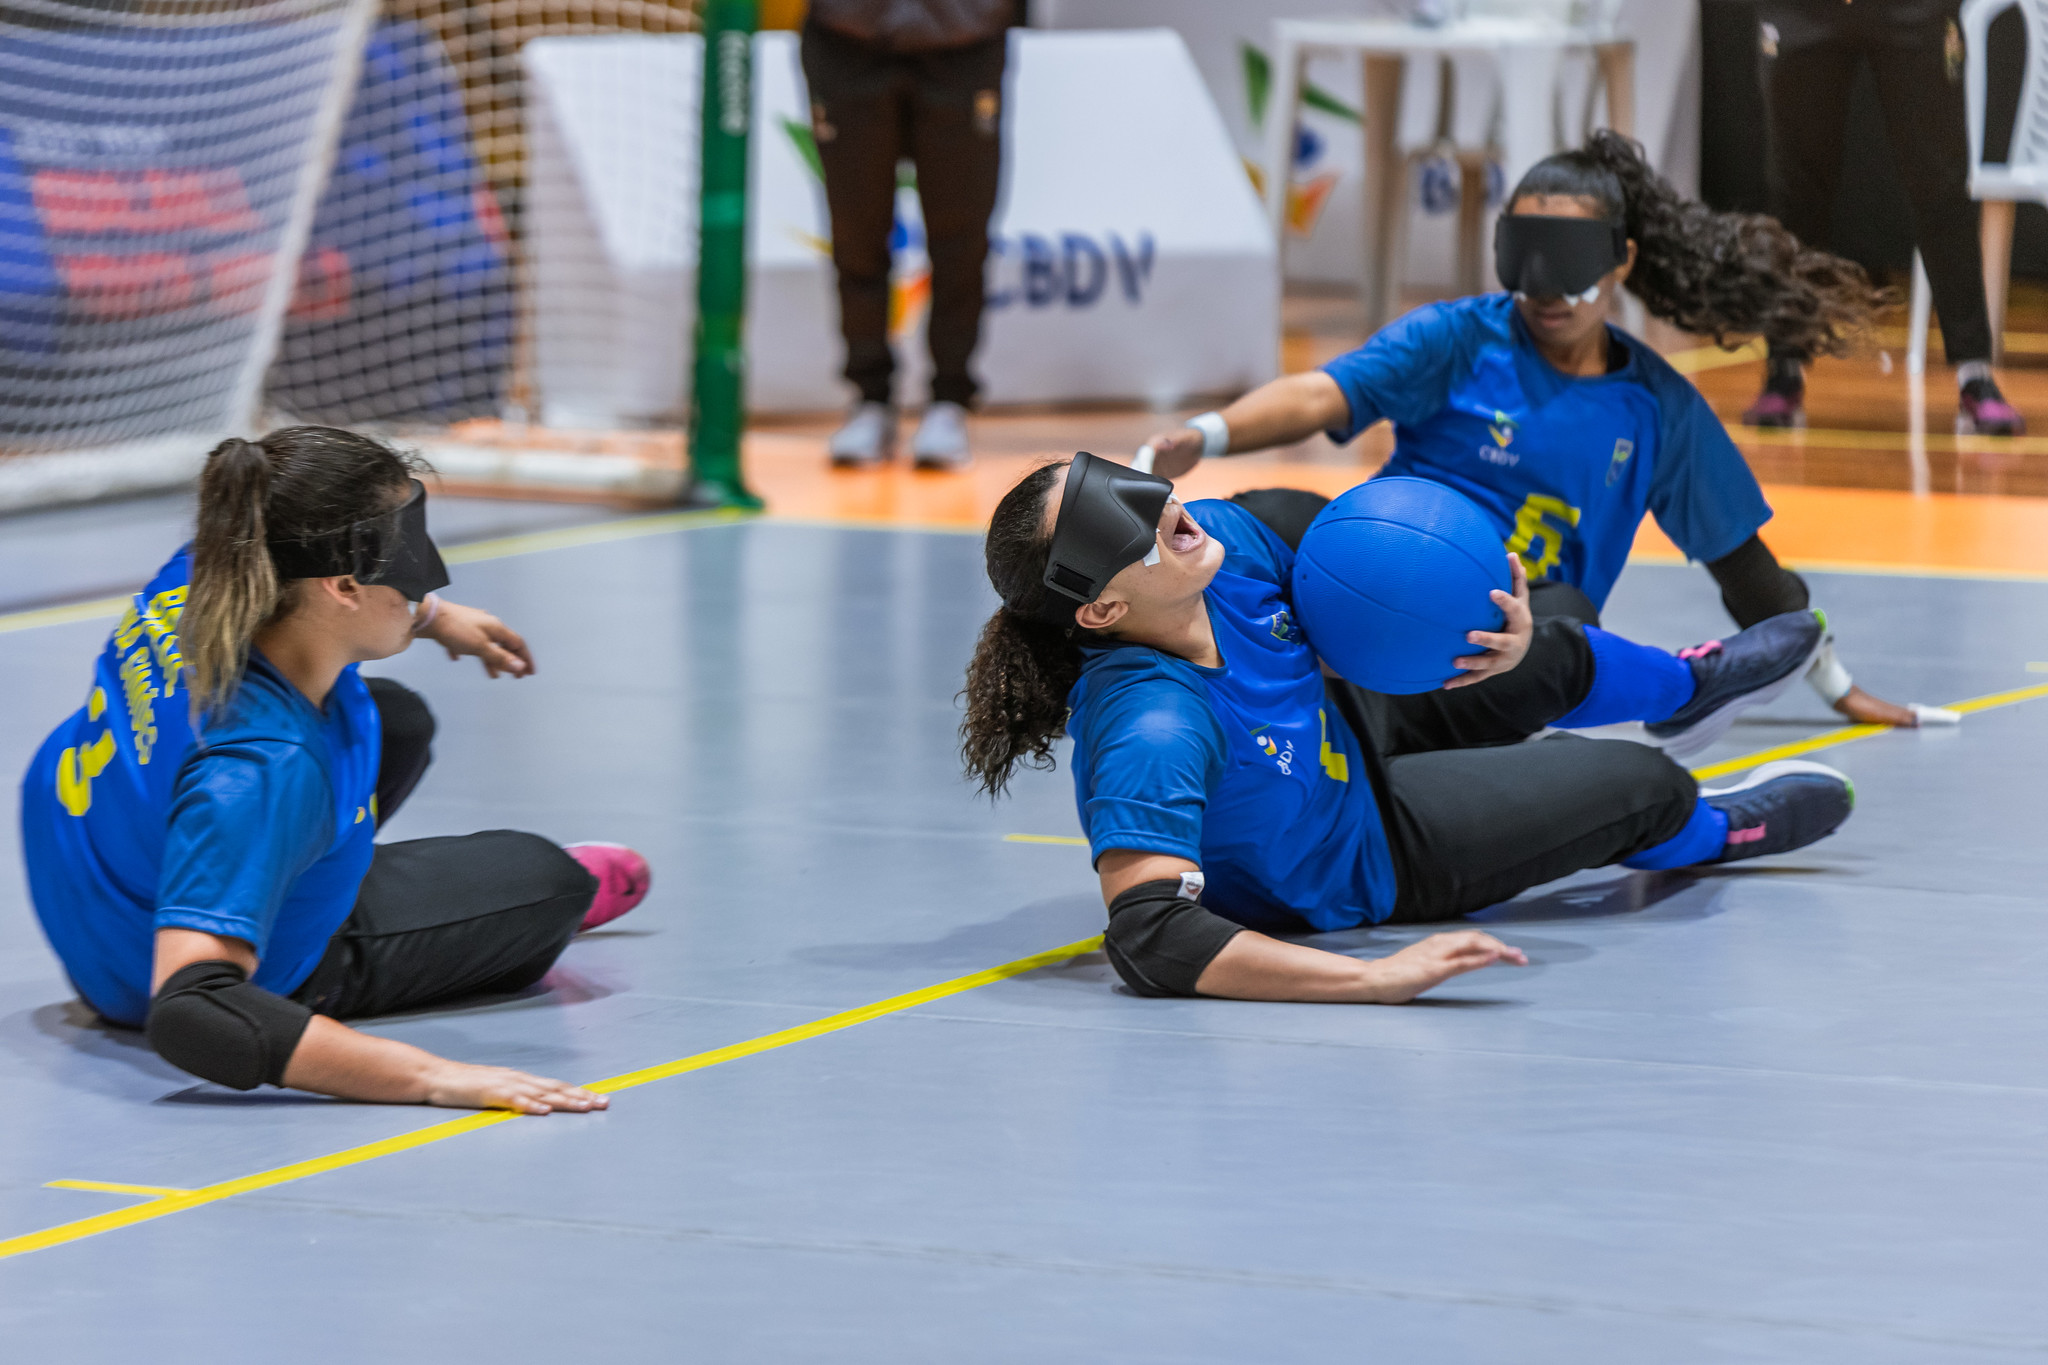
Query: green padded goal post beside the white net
720 365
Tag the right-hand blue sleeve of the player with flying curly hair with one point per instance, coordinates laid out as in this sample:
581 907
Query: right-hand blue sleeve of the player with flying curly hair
1703 492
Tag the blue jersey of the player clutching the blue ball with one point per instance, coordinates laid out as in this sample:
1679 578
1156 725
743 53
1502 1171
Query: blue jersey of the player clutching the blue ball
1244 770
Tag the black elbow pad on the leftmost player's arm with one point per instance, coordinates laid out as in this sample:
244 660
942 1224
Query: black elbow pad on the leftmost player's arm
212 1022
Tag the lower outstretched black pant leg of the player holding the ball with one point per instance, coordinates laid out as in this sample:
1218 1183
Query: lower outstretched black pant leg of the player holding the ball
1476 828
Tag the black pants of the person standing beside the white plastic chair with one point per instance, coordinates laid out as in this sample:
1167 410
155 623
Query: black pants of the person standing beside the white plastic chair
1822 44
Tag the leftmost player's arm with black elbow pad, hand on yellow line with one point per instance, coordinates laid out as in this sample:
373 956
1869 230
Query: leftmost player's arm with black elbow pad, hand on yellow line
218 1026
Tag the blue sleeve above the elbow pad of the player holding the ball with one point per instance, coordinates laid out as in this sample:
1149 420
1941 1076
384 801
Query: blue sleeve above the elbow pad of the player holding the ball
1154 750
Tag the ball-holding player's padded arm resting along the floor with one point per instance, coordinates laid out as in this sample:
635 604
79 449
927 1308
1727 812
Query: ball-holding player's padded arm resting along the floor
1254 967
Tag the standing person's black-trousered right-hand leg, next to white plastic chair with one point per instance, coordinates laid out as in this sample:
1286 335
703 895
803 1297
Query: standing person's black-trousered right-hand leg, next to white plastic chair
1924 122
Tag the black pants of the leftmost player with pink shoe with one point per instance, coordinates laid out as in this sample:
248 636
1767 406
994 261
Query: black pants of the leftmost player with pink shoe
441 920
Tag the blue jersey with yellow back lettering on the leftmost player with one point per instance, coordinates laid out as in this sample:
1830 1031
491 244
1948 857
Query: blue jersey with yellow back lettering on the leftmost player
257 832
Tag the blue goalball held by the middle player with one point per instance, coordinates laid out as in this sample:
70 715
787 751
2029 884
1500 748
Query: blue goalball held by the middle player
1392 576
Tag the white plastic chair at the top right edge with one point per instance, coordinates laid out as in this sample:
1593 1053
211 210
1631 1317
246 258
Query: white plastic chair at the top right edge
2022 177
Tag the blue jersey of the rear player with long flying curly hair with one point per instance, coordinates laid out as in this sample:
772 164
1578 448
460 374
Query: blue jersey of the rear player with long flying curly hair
1566 468
